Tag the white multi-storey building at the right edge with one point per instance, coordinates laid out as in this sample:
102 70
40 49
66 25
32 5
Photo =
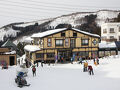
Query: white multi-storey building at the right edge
110 32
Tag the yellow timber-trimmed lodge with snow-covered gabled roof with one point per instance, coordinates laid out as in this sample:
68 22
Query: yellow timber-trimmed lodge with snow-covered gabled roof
63 44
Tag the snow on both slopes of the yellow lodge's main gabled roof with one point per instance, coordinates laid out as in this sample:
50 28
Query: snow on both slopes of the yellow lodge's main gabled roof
49 32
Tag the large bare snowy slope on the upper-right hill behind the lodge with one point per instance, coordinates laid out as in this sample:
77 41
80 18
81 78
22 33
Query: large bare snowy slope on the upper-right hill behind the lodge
78 18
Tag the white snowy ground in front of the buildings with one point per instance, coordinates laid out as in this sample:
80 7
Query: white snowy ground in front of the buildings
68 77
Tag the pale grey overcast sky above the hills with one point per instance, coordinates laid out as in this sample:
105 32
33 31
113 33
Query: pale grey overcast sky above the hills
29 10
